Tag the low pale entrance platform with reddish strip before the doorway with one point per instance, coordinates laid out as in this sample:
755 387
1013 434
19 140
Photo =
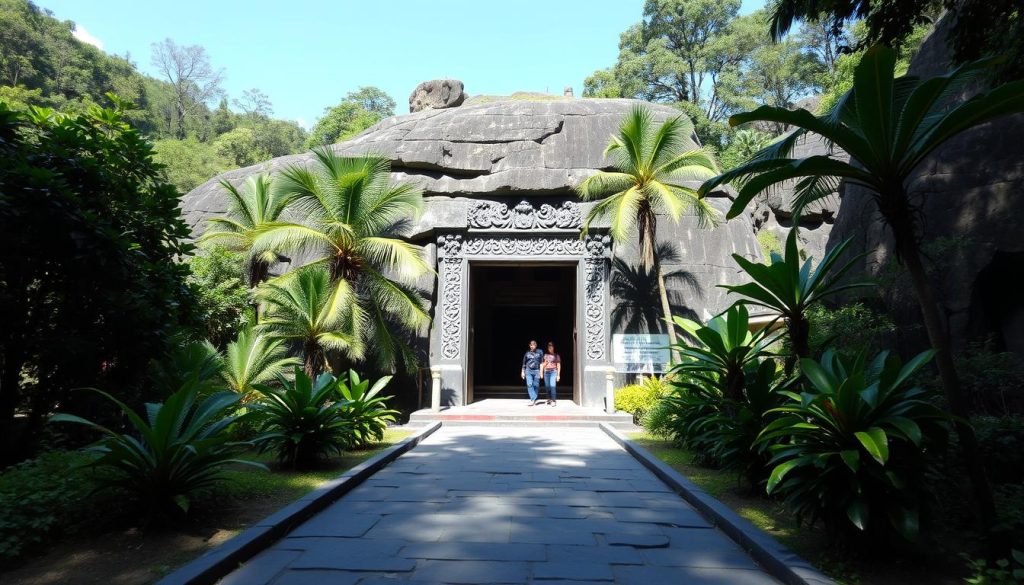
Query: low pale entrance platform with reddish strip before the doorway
518 412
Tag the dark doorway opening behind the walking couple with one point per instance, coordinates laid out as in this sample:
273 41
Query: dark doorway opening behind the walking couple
510 306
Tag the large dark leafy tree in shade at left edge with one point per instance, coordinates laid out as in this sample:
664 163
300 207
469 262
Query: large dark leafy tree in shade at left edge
93 289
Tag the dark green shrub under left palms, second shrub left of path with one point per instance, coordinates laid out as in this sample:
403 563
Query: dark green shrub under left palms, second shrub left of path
304 422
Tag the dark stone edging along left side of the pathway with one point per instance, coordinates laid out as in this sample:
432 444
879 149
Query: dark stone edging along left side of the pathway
227 558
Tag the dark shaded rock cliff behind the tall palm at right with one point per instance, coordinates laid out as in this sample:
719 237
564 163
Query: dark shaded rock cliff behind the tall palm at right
970 194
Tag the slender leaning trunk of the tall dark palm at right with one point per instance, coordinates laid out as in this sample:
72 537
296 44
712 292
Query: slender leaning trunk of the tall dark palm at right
904 230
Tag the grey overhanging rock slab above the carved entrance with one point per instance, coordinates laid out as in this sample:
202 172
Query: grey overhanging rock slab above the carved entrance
497 148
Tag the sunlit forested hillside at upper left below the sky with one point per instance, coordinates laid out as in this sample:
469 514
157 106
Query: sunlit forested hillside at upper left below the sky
198 130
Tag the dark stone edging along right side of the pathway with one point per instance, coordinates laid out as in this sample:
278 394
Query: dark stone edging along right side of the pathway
780 562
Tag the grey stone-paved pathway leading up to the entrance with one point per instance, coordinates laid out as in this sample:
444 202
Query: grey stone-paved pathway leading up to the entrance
507 506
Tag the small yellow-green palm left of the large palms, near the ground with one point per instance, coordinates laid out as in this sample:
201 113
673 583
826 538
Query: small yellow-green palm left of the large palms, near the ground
255 358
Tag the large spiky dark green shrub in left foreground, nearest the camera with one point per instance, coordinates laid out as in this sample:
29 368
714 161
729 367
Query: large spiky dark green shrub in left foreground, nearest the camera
180 452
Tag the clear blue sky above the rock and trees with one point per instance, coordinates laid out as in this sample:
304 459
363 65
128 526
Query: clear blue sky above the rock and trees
308 55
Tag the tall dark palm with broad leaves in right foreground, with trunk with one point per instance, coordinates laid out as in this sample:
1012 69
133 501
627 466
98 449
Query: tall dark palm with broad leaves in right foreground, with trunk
888 127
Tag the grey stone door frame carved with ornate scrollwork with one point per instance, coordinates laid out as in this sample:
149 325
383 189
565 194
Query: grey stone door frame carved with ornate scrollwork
523 235
